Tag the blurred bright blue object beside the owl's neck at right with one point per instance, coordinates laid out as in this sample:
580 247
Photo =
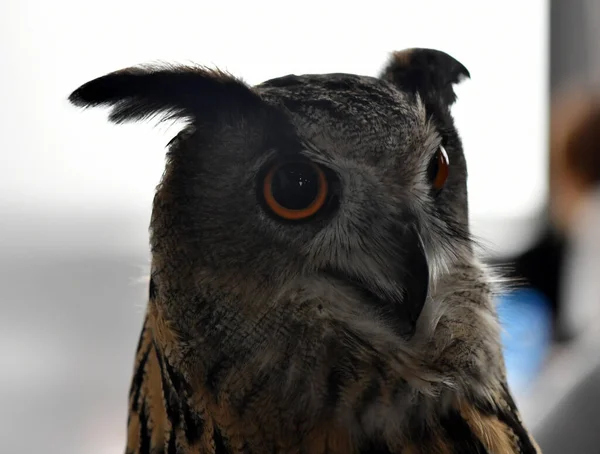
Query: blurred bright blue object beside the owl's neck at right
526 322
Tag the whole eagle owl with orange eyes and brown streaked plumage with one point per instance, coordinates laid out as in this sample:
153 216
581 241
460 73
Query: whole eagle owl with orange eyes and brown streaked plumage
314 287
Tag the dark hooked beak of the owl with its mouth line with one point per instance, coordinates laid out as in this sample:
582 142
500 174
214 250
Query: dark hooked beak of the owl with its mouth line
411 281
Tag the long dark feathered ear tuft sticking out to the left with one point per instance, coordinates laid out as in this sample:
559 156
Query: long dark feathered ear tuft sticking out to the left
143 92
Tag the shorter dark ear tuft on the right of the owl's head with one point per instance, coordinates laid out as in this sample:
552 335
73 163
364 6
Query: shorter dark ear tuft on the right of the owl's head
429 72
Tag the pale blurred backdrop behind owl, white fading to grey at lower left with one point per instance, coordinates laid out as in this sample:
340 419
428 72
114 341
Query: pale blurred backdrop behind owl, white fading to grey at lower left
76 191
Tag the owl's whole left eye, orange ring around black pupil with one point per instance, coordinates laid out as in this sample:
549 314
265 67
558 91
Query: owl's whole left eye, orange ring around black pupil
295 190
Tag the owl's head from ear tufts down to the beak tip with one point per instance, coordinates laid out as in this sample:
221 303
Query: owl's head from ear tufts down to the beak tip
332 181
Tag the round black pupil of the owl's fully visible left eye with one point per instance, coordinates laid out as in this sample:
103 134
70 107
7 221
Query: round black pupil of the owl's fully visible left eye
295 186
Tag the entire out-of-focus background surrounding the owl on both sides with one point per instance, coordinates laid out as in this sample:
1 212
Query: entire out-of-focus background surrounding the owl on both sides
76 191
